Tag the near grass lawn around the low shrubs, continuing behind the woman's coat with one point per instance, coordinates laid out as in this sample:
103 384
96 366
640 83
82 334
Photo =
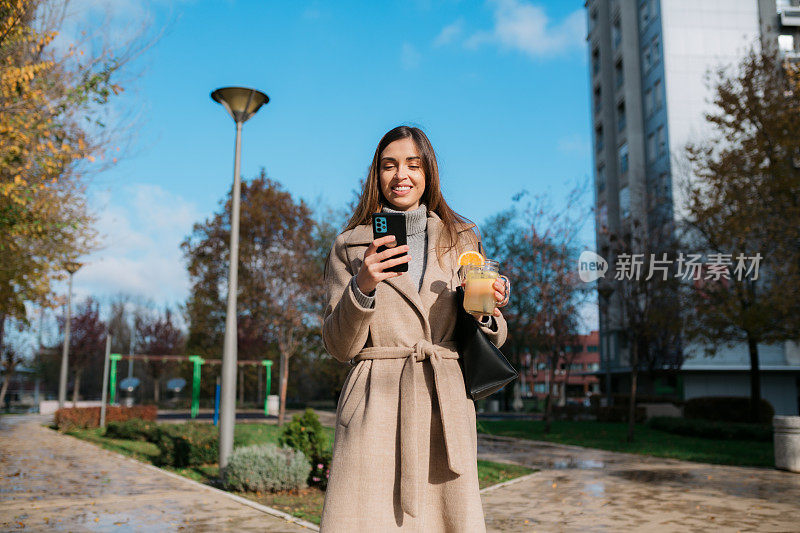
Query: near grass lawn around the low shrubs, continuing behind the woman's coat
305 504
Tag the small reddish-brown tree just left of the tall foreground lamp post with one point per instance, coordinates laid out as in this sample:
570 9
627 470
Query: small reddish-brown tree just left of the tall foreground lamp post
157 334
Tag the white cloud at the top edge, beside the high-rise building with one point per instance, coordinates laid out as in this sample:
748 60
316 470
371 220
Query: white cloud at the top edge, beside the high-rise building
525 27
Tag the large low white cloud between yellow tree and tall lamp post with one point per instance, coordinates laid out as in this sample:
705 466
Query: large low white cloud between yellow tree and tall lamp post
141 228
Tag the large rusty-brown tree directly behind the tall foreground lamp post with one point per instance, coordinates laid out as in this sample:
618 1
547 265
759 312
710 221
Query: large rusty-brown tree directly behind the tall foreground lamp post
278 277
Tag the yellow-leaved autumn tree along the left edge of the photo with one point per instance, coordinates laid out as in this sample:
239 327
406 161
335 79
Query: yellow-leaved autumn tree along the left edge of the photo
52 130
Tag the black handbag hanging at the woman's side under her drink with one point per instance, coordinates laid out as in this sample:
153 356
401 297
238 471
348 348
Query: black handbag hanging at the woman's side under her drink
486 370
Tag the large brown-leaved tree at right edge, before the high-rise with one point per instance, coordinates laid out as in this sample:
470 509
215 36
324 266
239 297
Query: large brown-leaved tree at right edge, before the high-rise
743 199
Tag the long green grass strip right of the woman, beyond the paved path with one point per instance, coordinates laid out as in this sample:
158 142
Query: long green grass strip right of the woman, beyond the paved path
647 441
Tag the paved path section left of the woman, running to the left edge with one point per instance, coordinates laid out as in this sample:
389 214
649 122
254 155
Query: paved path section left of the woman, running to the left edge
52 482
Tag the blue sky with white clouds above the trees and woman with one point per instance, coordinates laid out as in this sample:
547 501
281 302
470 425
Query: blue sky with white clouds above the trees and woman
500 87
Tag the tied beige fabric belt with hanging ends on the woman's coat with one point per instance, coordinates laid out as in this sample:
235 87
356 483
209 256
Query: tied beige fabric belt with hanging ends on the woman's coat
454 419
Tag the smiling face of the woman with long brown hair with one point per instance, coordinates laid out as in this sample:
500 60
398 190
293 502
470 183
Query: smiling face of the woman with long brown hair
402 178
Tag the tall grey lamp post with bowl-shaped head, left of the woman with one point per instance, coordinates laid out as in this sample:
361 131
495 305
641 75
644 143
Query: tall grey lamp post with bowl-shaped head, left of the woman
241 103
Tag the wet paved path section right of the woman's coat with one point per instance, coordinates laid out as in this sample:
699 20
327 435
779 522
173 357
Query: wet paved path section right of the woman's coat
581 489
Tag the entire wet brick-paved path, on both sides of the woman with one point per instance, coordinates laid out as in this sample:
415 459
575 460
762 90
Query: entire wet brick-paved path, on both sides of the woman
54 482
